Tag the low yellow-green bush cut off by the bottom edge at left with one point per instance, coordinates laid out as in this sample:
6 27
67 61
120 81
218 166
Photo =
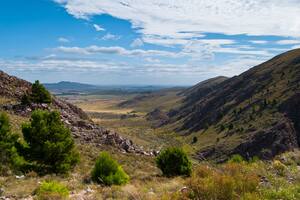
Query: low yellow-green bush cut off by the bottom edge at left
52 190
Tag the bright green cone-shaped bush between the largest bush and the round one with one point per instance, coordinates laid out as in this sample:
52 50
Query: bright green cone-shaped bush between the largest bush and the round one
107 171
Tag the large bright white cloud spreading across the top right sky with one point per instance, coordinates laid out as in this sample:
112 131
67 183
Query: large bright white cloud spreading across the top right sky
177 21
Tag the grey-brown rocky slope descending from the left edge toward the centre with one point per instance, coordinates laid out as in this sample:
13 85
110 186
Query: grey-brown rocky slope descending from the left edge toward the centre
82 128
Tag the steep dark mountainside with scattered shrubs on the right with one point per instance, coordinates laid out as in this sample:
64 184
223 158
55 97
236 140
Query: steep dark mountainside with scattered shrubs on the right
254 114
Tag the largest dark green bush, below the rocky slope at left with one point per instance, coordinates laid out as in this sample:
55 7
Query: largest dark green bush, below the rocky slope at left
50 144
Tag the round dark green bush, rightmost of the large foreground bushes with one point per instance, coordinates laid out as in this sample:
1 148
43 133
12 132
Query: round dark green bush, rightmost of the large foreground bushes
174 161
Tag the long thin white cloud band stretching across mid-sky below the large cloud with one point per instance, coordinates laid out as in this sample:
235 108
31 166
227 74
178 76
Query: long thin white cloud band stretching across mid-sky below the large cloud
194 49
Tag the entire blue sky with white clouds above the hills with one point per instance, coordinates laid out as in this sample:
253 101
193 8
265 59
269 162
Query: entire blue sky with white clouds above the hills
143 42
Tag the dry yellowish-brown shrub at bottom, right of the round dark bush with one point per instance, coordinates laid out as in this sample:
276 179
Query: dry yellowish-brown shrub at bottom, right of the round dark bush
232 181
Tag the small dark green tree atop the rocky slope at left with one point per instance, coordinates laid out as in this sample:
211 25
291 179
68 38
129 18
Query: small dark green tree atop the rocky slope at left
38 94
